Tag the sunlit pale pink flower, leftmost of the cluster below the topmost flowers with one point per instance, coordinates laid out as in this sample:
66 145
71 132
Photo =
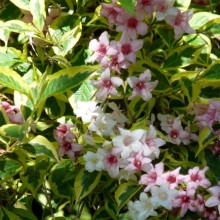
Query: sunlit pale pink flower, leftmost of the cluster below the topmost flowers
101 49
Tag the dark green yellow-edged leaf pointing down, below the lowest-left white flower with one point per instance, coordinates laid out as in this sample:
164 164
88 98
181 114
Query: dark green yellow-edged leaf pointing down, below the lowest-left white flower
85 183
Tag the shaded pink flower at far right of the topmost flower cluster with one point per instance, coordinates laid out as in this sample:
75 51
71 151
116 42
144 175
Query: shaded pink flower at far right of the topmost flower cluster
180 22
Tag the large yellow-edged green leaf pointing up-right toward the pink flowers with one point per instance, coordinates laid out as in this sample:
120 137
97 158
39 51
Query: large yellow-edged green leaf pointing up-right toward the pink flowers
66 79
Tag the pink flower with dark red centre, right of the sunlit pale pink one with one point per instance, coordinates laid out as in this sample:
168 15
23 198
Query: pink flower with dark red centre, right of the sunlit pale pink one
129 47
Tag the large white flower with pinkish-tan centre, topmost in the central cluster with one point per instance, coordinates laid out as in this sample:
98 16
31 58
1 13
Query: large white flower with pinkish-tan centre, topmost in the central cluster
127 142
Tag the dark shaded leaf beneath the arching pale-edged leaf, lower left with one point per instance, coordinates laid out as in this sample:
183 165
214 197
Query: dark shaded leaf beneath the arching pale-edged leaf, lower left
33 176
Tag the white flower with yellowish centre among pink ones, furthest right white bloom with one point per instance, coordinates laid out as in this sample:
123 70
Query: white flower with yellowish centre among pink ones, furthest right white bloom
163 196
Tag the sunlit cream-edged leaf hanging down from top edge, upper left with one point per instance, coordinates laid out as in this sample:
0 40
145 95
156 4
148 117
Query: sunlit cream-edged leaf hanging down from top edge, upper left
37 9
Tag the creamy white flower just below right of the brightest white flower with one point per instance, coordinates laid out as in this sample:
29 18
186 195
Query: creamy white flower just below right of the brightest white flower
103 125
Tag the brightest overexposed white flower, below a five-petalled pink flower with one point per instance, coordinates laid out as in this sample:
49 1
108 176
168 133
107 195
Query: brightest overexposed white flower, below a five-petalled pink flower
87 110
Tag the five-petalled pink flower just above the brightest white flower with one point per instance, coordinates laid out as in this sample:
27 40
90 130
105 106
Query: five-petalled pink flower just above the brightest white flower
107 85
